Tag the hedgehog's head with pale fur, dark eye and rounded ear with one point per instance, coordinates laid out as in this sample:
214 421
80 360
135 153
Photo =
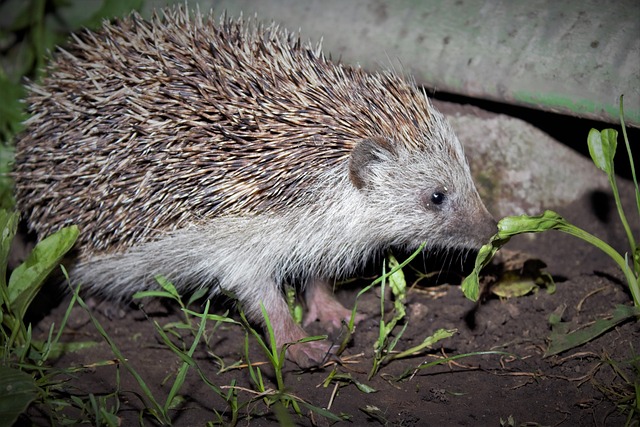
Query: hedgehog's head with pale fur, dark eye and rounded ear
419 195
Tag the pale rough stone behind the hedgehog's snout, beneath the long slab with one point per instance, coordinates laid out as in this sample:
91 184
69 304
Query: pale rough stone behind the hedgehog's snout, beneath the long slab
518 168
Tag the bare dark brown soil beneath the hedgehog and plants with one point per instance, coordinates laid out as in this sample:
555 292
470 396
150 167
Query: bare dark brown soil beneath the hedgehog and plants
576 388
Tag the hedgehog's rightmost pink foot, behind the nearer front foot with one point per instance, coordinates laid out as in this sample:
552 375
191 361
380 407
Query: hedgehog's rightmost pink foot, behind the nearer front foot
323 307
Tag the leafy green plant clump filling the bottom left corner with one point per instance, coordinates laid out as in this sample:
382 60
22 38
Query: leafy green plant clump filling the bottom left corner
25 378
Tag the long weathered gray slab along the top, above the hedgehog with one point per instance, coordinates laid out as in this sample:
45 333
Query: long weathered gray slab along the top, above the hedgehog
572 56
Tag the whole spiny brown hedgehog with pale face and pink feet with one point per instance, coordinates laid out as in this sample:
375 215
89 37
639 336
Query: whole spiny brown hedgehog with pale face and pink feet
226 154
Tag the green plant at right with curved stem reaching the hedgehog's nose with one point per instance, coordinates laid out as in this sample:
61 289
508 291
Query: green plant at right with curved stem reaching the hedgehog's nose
602 147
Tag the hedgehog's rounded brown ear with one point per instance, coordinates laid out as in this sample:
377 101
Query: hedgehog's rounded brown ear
365 155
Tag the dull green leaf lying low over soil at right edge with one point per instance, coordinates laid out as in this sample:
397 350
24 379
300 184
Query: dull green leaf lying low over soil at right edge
562 341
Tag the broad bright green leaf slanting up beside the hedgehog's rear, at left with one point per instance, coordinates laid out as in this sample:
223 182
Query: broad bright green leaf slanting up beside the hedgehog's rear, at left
27 279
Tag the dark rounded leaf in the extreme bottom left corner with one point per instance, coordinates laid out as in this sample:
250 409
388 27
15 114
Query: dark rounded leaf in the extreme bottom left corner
17 390
